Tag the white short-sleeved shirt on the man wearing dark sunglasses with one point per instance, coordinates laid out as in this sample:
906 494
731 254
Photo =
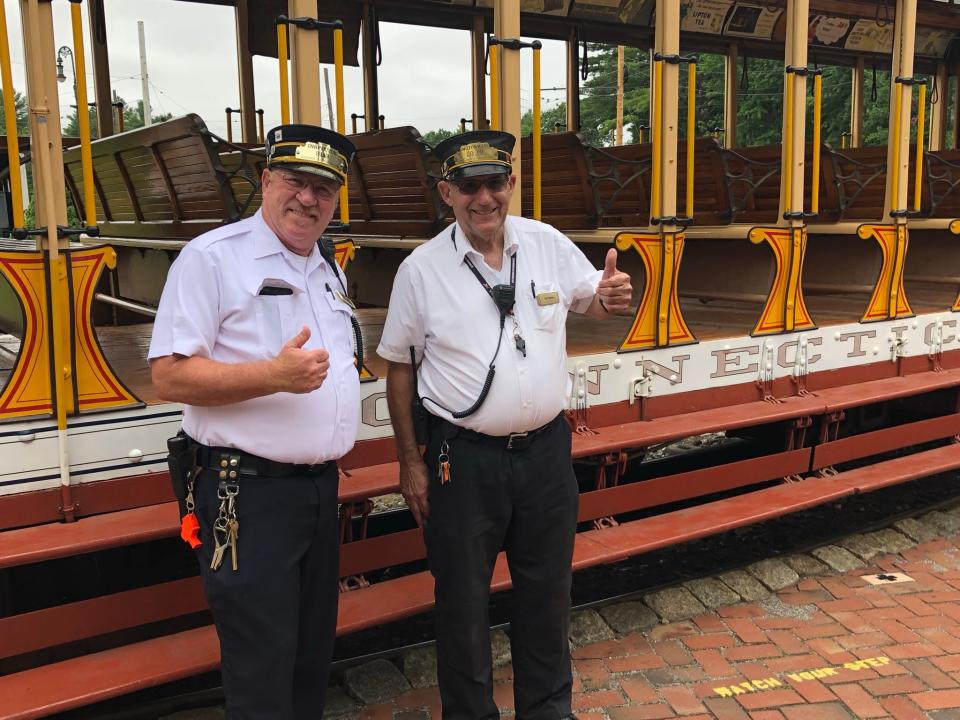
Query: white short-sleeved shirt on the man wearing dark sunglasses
440 308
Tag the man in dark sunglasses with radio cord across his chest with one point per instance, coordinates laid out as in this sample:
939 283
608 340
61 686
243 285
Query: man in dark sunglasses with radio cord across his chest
476 343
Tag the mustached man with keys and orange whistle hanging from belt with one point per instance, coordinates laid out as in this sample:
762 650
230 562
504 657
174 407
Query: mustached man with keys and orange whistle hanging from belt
253 335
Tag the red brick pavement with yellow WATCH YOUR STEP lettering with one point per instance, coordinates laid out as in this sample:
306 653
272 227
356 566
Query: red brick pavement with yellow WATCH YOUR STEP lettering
830 647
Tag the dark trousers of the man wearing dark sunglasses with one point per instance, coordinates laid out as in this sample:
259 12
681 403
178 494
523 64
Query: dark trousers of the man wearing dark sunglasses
523 502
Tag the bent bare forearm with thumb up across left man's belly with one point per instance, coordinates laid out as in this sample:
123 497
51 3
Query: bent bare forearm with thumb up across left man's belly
204 382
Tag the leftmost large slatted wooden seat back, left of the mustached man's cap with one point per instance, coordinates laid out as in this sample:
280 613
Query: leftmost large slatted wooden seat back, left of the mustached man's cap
165 181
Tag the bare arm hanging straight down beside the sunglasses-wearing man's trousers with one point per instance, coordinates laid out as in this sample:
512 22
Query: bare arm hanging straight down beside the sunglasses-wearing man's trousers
413 470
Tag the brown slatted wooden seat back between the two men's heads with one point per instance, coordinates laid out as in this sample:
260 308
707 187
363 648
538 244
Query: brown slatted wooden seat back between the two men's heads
392 185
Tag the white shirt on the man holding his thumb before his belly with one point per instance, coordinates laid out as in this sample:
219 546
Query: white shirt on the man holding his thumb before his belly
211 307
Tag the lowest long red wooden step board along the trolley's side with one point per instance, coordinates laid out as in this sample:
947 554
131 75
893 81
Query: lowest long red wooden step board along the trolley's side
91 678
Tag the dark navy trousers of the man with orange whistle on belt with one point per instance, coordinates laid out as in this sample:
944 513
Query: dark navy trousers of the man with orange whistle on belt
276 616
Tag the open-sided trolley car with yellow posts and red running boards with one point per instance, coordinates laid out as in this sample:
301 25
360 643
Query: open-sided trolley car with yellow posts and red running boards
800 298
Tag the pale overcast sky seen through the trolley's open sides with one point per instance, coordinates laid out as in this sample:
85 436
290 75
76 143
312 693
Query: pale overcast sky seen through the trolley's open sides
191 62
